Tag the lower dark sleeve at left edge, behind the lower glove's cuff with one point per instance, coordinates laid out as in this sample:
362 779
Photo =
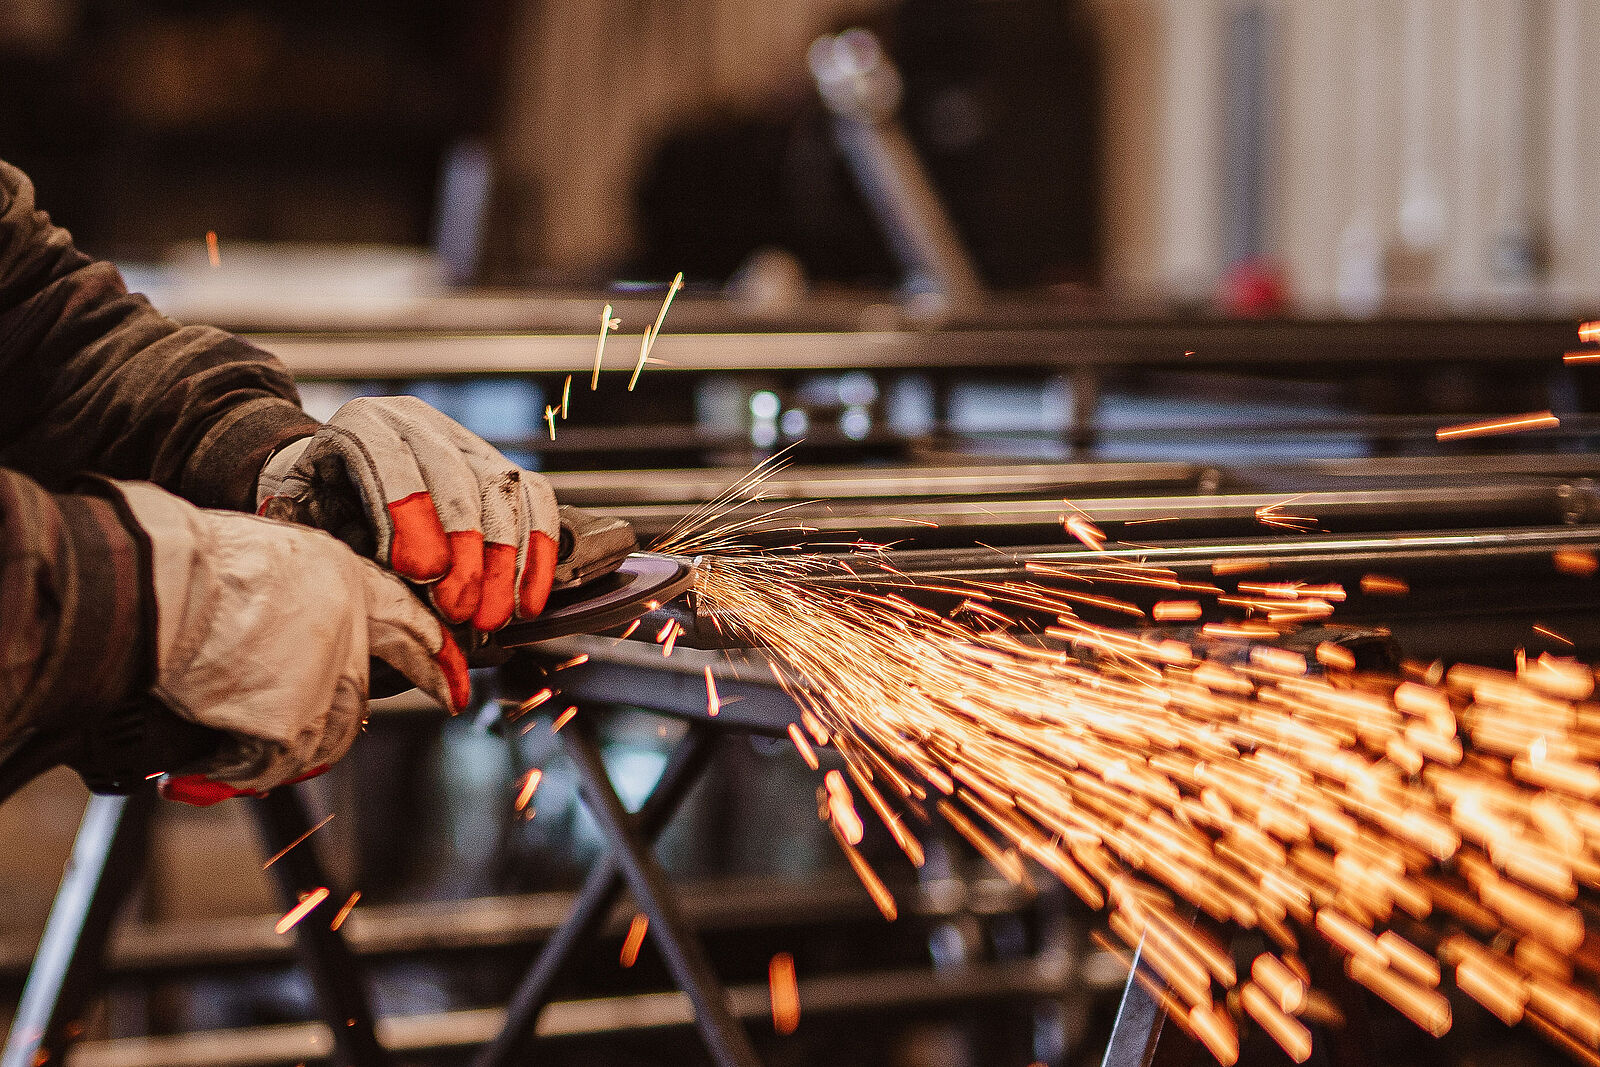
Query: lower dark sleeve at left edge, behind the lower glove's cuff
76 607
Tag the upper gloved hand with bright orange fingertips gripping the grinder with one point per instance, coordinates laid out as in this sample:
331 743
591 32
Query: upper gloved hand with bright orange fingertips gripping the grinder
420 494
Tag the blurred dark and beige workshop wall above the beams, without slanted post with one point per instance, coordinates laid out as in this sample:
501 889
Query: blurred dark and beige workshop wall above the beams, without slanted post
1343 158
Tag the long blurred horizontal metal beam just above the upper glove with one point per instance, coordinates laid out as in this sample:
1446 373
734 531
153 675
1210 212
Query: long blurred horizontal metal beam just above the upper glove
1092 342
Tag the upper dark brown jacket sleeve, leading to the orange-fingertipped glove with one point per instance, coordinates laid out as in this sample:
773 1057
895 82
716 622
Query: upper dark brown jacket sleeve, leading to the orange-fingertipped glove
94 380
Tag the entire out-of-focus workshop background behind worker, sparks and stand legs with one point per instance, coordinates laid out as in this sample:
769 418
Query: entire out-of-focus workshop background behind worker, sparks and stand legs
972 257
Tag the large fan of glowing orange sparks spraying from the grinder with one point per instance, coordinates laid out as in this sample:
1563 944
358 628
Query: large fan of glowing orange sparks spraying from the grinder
1431 828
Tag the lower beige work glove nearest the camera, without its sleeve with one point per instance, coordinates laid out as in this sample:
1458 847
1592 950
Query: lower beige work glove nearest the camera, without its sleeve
265 633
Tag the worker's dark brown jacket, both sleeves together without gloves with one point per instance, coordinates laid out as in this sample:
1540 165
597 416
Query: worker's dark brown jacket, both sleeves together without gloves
95 382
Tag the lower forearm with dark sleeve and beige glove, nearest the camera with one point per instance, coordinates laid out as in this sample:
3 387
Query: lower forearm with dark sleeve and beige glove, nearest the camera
254 628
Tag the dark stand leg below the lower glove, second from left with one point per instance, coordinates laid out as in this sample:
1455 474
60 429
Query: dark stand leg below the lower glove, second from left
334 970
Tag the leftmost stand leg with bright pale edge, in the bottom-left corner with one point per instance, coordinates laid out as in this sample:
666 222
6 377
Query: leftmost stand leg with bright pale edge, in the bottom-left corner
106 860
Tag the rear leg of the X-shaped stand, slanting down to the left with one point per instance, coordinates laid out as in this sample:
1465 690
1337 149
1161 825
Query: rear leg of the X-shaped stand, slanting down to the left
594 903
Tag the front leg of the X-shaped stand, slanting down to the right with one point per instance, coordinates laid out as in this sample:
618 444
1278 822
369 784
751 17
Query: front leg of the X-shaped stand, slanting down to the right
679 948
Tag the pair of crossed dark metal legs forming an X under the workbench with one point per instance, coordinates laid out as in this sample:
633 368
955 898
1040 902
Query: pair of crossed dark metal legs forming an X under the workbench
628 863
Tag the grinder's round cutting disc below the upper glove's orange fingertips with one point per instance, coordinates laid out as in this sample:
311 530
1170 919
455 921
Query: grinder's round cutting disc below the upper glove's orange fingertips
639 586
